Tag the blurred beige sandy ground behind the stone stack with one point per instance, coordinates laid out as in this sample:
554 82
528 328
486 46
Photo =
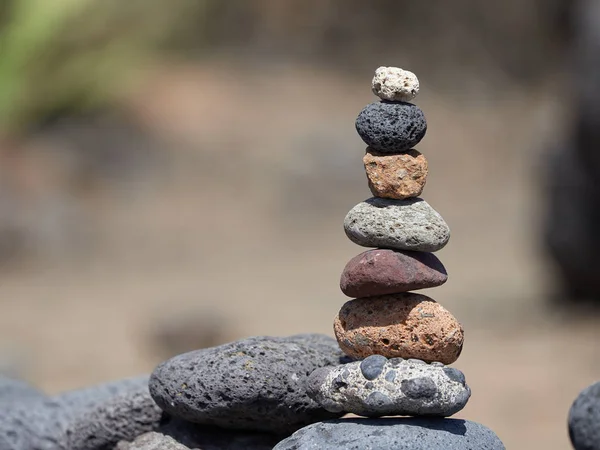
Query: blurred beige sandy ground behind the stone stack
242 220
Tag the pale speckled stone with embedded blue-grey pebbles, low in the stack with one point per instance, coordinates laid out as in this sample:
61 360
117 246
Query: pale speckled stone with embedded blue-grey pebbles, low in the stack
379 387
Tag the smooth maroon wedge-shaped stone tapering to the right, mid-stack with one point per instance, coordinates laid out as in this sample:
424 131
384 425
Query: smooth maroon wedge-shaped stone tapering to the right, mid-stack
381 271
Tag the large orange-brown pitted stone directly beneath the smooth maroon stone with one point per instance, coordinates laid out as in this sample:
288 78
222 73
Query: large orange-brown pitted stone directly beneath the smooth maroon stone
403 325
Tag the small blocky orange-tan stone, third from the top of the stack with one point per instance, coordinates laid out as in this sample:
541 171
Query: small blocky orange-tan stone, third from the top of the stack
398 176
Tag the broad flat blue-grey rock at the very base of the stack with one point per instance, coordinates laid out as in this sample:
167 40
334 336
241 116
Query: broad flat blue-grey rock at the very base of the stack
393 433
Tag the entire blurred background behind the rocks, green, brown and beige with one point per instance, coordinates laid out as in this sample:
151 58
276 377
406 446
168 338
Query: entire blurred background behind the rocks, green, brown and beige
175 174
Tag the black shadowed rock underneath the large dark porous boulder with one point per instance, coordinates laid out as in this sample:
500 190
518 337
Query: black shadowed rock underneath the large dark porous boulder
208 437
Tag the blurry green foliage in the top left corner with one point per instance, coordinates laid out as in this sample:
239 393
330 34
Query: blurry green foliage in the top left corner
69 56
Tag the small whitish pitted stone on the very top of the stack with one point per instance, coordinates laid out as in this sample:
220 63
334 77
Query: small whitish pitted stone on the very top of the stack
395 84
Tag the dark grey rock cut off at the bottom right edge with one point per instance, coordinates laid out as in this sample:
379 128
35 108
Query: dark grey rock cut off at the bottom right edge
584 419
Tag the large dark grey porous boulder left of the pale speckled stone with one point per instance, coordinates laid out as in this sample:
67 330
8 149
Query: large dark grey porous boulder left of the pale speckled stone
253 384
